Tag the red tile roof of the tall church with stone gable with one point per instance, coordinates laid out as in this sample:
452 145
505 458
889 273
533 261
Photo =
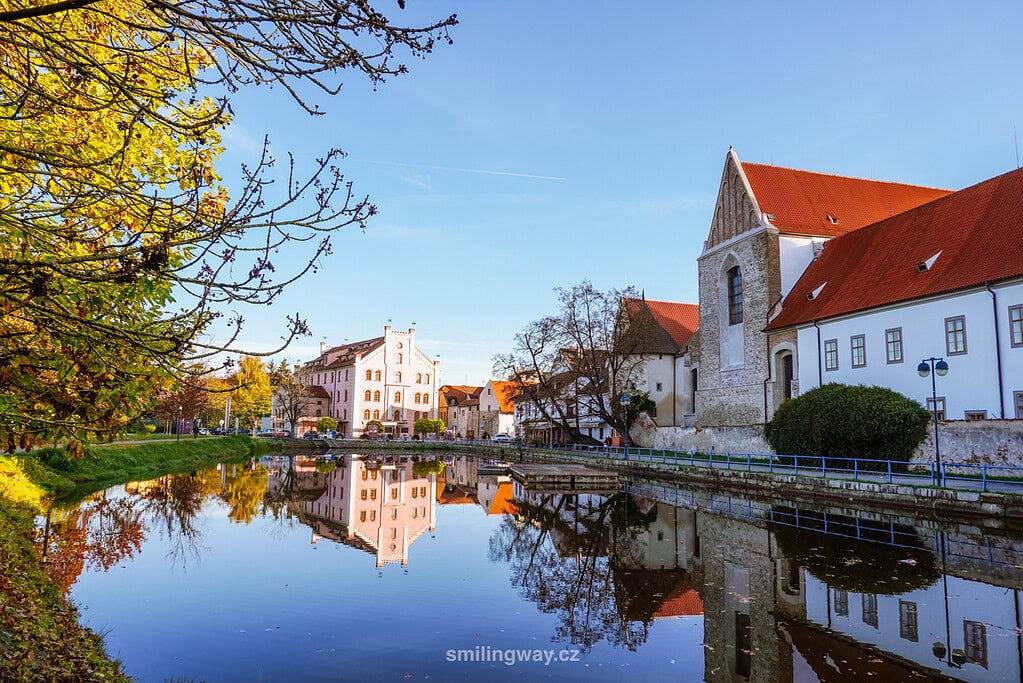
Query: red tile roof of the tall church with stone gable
802 202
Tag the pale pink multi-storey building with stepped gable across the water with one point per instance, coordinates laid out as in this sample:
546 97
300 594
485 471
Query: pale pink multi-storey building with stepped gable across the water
386 380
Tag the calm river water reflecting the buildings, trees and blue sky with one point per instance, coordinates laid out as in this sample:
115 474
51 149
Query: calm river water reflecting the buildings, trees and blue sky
407 569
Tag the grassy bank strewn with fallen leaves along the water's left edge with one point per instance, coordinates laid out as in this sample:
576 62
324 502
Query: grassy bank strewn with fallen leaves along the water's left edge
40 638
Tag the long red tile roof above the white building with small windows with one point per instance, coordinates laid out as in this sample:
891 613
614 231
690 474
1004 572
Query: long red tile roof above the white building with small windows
978 233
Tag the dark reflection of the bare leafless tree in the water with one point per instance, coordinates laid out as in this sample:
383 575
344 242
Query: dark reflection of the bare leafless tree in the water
571 555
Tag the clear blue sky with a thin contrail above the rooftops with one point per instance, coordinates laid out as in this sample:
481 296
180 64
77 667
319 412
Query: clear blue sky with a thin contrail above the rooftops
557 142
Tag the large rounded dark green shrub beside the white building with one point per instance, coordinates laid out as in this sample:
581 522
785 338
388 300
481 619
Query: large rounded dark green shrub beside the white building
843 422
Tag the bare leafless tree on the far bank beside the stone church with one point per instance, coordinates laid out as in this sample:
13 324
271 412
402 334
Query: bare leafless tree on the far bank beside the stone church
583 360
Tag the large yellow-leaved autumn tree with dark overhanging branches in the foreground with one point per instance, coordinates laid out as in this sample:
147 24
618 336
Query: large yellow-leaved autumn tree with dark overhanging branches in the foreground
119 245
